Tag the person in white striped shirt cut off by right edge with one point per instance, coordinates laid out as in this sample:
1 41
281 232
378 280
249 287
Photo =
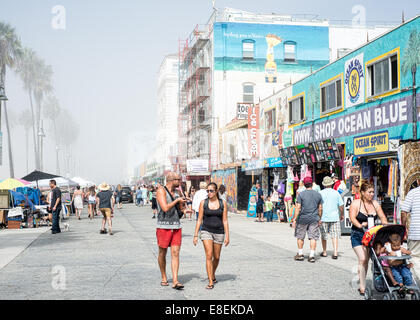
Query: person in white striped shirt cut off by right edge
411 205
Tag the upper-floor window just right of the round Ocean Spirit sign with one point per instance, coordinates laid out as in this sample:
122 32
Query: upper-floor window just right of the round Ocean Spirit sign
383 76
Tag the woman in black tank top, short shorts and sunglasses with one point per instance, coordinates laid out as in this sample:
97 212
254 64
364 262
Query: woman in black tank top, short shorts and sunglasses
214 232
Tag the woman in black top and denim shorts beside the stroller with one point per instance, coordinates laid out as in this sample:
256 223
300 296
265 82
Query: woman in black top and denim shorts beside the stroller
361 210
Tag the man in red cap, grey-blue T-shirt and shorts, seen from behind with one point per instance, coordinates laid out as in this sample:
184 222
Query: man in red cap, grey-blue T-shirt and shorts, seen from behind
308 219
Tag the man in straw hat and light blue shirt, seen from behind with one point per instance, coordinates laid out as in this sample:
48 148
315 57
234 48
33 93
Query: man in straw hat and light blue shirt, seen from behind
333 207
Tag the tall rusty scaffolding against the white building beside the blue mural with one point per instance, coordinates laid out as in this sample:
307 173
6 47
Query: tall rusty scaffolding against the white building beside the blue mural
195 91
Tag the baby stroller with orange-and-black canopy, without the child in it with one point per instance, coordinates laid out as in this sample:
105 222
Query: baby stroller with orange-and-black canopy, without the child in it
380 235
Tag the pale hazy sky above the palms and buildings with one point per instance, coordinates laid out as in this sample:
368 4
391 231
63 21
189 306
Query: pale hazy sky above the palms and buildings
105 67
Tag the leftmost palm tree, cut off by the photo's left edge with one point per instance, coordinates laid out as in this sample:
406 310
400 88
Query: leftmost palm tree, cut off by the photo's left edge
10 51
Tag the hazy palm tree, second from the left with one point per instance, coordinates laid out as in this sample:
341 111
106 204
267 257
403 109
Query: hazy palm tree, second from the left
27 72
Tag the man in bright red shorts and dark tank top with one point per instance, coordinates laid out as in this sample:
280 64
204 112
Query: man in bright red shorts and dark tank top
168 231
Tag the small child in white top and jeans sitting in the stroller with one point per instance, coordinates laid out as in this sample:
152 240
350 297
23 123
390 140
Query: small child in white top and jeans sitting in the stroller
396 270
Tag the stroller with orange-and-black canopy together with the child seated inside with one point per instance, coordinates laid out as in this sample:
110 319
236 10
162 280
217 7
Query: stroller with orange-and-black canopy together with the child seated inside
384 280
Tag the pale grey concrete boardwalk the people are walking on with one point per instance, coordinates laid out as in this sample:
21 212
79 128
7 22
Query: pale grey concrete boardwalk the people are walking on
83 264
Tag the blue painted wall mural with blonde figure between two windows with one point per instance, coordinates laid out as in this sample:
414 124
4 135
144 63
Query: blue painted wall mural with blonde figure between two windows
270 48
